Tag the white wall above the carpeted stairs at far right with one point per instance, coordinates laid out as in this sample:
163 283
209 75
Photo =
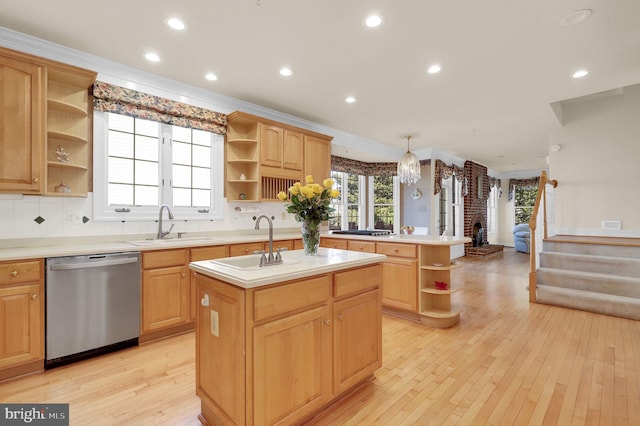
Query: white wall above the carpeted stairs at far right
597 166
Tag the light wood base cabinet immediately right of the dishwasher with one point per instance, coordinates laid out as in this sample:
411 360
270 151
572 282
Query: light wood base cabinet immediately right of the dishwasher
166 290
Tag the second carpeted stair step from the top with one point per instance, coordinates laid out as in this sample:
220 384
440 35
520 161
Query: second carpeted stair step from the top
622 266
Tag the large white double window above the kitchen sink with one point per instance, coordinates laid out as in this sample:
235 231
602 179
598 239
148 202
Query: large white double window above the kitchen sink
142 164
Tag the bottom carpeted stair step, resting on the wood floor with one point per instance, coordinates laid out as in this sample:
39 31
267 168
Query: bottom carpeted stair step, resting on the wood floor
608 304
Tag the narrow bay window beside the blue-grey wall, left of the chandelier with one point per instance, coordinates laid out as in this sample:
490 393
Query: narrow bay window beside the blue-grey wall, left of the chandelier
384 202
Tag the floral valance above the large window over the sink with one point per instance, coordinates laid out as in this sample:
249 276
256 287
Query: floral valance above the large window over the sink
110 98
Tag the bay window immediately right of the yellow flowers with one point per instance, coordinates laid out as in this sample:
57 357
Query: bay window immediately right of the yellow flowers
349 207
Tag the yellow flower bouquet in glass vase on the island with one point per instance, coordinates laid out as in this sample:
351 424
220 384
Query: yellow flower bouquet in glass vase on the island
311 204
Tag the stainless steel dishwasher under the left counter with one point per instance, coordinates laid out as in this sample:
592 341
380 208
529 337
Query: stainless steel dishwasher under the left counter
92 305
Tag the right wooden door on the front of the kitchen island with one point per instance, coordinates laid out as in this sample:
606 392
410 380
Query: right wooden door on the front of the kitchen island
357 339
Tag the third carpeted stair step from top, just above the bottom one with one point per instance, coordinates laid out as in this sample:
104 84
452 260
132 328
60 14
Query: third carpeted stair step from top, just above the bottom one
589 281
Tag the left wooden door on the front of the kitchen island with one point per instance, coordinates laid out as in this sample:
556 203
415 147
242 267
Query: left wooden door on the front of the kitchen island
292 367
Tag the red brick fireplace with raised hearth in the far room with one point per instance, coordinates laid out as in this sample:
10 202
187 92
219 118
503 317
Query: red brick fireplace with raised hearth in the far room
475 211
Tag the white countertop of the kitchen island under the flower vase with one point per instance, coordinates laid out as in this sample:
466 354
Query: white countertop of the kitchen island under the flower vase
296 265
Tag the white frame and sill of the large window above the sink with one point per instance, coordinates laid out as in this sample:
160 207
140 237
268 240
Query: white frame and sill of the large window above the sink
103 212
